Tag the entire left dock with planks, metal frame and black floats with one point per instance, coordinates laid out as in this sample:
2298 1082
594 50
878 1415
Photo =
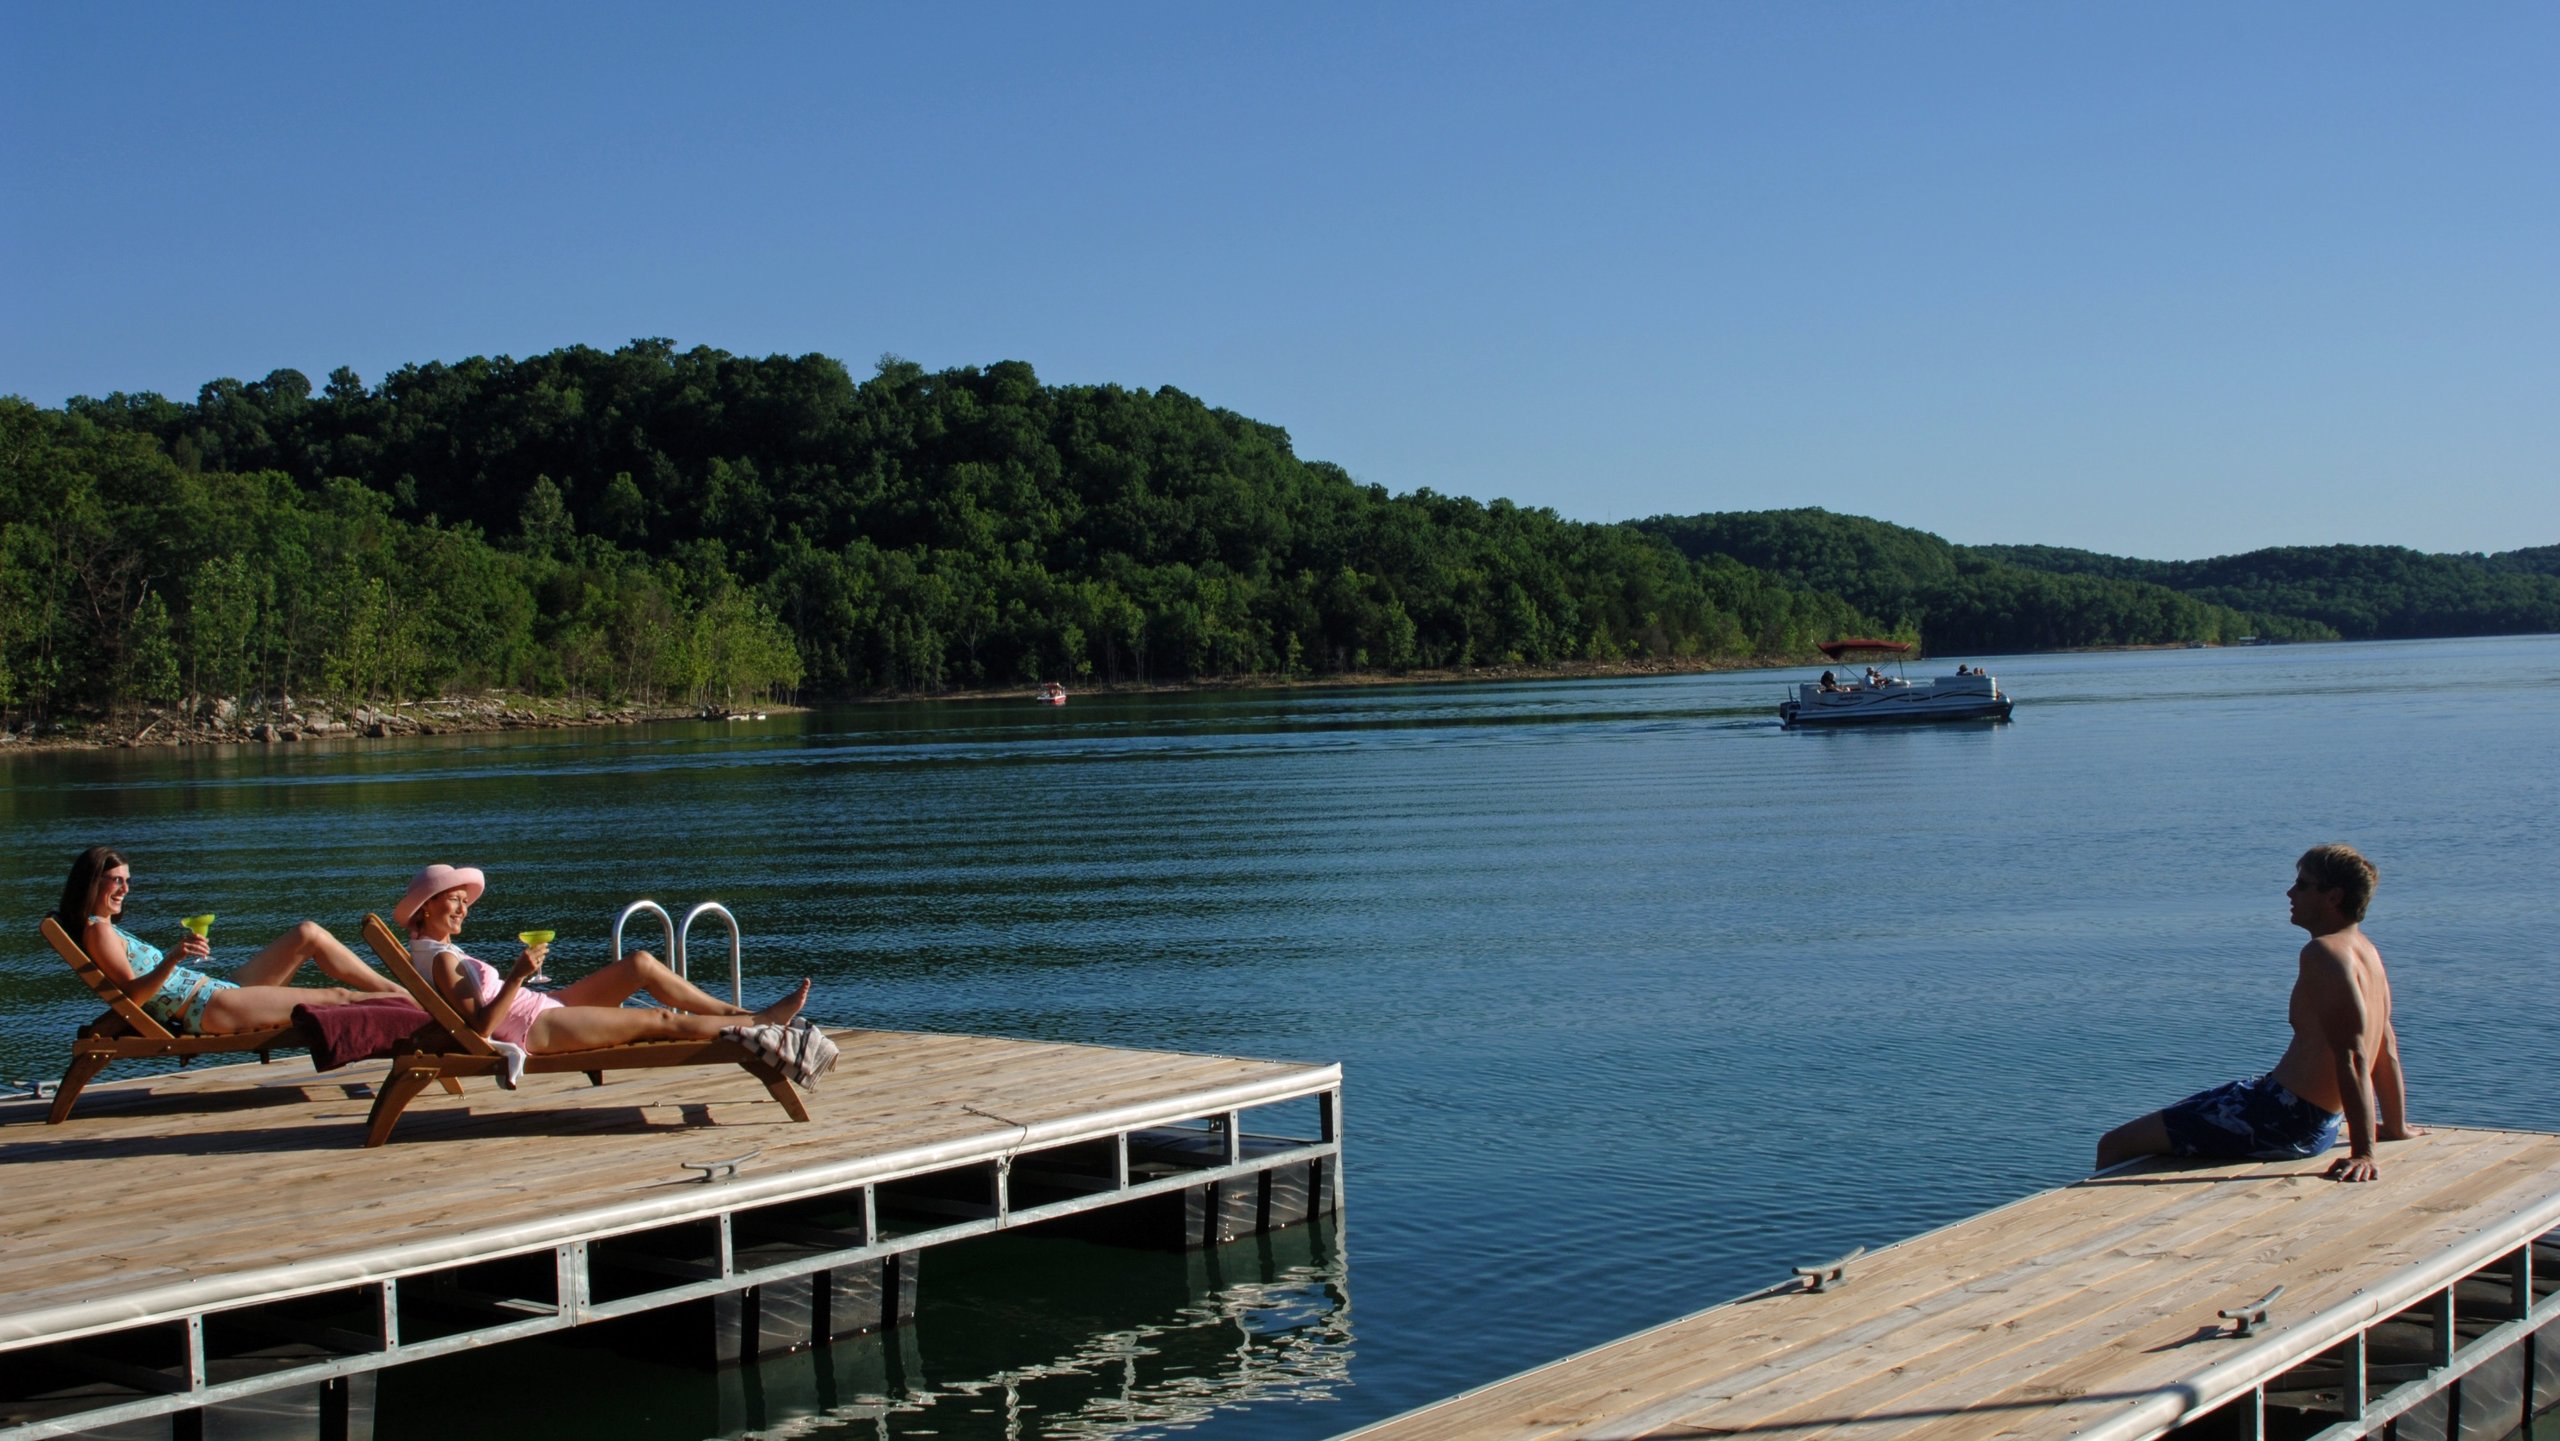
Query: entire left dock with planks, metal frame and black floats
219 1238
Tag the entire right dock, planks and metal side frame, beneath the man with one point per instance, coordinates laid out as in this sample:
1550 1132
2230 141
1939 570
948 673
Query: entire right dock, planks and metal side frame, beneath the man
2164 1299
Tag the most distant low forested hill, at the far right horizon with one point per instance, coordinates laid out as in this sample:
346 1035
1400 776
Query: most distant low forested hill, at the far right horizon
2364 593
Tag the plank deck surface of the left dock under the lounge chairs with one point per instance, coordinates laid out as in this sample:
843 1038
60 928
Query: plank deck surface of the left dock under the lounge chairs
204 1179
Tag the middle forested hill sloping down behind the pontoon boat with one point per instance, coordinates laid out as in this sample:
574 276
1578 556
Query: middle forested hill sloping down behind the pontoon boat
1965 598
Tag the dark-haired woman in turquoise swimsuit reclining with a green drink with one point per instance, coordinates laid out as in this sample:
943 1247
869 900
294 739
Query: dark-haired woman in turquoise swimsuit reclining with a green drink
183 997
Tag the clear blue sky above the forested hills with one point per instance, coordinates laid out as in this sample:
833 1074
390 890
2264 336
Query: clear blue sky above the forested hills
2159 280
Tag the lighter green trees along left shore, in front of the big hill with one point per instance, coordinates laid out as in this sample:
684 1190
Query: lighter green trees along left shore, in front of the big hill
134 582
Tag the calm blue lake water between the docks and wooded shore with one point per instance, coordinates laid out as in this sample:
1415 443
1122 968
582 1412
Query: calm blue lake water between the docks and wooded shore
1640 997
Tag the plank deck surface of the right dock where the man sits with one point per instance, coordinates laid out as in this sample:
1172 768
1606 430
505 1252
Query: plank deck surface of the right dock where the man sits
2044 1319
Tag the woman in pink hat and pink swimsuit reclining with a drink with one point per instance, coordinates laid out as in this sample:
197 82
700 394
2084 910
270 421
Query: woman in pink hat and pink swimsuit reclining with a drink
582 1015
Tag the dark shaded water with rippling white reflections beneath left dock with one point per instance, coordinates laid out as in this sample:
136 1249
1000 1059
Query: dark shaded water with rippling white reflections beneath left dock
1025 1340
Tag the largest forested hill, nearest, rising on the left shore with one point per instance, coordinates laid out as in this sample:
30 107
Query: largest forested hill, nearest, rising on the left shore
687 523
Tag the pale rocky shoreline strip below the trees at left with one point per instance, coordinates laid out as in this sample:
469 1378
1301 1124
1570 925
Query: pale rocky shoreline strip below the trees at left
283 720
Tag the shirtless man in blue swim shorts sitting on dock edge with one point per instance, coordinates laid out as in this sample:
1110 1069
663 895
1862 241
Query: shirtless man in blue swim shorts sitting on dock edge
2344 1061
